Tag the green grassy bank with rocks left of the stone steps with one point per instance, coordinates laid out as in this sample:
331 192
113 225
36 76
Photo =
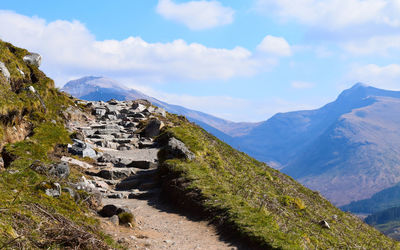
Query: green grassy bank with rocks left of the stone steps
29 218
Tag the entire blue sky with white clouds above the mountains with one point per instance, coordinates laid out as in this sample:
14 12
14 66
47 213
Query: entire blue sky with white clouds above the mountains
238 60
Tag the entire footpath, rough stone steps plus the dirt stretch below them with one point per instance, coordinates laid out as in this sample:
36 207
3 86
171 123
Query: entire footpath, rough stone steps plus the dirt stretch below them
120 140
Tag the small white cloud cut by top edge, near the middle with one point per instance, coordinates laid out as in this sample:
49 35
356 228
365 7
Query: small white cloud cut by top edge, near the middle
197 15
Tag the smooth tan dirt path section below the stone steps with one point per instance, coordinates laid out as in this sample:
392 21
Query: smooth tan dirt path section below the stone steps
161 228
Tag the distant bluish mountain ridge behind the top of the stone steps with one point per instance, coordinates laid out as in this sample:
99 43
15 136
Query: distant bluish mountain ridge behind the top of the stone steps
93 88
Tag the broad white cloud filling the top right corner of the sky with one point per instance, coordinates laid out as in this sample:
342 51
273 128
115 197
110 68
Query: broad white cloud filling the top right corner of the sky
335 14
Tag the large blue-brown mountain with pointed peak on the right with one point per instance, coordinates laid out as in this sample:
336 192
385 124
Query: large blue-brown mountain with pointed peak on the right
348 149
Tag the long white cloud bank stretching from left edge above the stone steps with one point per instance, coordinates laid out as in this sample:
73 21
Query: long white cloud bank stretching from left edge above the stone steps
69 49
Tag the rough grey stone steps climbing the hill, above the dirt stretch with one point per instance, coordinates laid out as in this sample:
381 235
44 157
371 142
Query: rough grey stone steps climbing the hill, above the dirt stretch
126 156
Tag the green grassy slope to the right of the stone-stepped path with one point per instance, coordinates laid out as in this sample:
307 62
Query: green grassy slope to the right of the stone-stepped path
264 206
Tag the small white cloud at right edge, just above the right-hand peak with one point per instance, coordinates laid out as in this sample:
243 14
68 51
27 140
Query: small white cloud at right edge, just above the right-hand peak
378 45
